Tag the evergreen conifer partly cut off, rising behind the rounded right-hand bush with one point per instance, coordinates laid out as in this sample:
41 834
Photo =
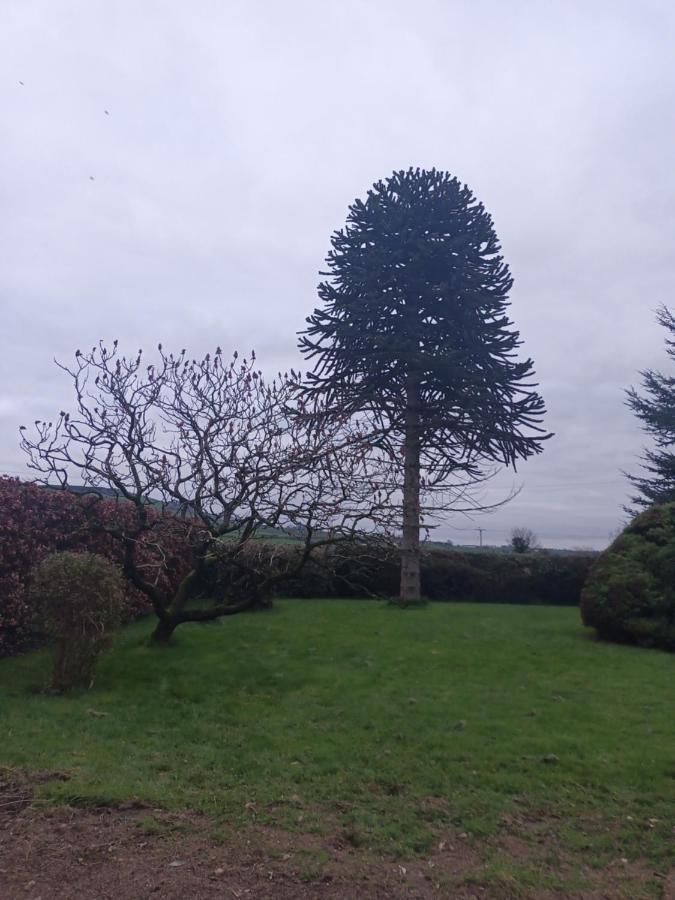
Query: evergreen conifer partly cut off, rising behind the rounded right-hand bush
656 410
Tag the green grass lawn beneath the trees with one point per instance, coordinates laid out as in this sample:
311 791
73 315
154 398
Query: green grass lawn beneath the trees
393 727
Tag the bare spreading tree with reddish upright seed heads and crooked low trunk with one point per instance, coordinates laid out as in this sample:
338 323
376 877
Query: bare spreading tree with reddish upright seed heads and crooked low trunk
227 455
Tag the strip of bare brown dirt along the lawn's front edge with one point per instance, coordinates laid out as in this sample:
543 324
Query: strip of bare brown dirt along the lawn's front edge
63 853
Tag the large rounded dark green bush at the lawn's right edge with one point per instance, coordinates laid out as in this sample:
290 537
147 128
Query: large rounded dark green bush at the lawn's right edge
630 593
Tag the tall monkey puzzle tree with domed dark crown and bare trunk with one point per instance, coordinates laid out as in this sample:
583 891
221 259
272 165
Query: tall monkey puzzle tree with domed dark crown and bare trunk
413 330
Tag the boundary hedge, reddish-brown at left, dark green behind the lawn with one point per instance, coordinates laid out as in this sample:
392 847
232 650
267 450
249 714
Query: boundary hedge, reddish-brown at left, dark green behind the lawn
35 522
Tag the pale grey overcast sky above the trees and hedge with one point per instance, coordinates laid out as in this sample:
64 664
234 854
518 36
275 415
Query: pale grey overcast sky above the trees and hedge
173 171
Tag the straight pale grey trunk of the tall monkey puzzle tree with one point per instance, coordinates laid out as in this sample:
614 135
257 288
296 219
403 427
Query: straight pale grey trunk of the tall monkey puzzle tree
410 545
